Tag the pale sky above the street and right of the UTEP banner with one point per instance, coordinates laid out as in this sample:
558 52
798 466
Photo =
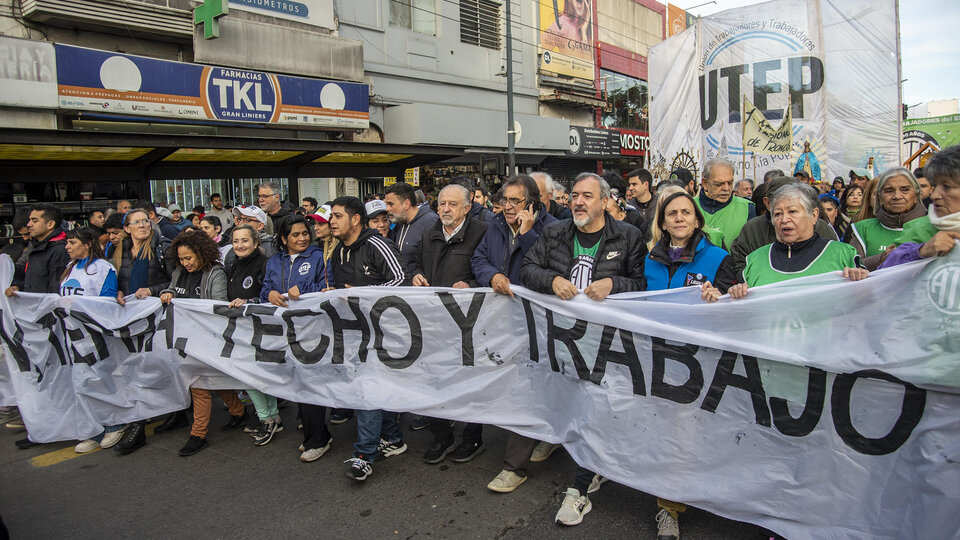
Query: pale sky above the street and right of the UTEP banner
929 45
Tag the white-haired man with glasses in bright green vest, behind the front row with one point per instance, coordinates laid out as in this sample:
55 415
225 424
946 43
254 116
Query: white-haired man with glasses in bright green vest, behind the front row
722 211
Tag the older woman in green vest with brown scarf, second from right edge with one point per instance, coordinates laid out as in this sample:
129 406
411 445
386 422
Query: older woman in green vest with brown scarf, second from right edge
897 202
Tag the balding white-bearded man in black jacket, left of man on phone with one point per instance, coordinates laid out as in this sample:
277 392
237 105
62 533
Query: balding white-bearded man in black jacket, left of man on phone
443 260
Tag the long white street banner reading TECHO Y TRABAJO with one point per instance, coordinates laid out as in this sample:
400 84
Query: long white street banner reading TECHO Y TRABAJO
818 408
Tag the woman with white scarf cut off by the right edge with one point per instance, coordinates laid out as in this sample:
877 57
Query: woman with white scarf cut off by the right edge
935 234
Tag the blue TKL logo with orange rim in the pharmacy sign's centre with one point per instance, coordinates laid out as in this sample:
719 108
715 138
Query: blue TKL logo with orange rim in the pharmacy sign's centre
245 96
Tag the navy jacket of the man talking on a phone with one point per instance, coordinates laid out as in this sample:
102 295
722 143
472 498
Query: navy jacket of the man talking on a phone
495 255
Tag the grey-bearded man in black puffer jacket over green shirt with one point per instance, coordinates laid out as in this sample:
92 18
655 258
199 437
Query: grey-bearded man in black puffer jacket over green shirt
592 253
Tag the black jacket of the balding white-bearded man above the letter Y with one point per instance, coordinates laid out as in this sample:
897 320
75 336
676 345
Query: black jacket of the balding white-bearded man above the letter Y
444 263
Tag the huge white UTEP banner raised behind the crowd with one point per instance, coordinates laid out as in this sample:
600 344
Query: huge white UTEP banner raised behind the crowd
834 64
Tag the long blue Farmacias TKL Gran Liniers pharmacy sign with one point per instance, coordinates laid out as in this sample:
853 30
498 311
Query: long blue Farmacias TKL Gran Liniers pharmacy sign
108 82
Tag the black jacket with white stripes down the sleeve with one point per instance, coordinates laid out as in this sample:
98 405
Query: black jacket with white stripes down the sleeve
370 260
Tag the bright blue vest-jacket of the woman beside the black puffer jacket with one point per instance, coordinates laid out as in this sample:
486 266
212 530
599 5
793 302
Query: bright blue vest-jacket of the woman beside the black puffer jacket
708 263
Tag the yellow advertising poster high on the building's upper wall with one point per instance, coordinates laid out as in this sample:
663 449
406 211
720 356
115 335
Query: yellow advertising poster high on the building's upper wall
566 38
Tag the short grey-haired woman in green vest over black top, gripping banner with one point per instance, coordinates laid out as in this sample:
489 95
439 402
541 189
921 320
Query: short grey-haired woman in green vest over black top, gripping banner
798 250
